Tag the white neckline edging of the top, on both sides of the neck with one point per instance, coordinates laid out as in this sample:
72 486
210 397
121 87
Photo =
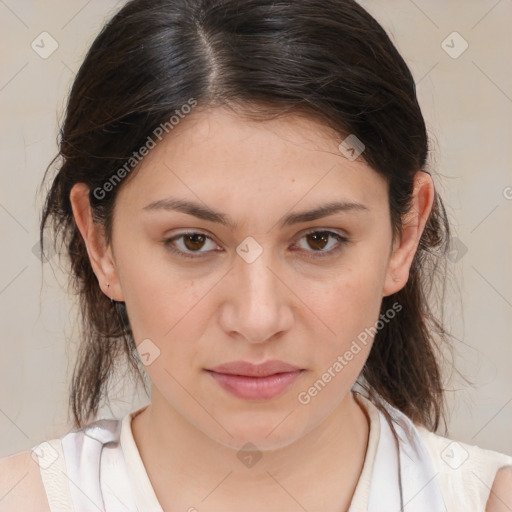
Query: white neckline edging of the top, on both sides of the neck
144 494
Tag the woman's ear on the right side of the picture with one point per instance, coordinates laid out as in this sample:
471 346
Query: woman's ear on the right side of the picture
413 224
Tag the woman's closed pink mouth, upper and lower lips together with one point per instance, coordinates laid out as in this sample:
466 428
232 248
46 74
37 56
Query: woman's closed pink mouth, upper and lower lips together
255 382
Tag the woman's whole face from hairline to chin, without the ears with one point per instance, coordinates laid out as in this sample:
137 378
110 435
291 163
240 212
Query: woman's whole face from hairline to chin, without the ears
265 284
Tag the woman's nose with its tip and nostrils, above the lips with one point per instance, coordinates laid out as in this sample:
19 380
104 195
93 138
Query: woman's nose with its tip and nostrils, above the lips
258 305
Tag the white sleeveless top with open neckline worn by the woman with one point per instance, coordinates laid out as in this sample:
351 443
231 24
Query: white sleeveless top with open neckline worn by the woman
99 468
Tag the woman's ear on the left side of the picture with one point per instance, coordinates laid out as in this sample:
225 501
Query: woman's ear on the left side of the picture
100 255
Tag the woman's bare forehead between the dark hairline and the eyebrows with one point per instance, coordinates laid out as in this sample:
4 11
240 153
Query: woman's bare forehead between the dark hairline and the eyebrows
218 156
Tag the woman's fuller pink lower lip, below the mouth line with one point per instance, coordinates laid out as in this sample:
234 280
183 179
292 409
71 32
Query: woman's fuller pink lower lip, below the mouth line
256 388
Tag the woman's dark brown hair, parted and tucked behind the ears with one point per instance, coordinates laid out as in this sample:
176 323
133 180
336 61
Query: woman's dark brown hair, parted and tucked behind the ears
326 59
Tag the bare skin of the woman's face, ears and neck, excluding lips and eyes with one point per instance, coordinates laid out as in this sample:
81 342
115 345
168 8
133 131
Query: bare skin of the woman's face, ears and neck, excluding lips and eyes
219 308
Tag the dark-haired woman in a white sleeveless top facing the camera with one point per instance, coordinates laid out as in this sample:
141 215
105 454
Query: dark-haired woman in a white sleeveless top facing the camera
244 199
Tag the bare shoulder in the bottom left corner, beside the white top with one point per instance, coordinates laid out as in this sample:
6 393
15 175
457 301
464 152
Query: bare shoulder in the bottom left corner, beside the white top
21 485
